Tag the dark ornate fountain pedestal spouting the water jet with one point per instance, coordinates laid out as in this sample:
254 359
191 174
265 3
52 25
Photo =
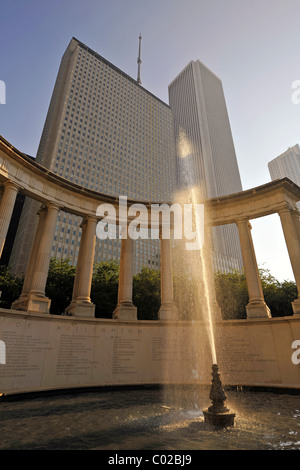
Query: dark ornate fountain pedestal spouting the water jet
218 414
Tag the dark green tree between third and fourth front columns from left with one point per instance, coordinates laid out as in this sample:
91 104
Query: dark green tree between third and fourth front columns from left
104 291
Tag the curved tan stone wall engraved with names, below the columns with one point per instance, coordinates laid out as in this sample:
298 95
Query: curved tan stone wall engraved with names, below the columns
48 352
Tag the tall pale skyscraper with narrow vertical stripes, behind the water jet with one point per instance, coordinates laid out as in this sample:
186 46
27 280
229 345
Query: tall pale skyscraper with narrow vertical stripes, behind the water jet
200 117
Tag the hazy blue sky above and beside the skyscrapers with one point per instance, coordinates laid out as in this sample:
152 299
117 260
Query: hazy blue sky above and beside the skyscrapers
252 45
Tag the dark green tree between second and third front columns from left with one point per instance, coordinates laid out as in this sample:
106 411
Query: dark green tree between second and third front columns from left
59 286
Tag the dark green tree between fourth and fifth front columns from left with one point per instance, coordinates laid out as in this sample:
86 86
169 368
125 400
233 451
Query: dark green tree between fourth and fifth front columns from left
146 293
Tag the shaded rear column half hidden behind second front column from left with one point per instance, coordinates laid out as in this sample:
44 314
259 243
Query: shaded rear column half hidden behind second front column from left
21 302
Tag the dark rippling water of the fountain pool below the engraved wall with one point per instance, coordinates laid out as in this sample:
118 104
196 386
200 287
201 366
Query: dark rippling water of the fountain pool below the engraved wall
148 418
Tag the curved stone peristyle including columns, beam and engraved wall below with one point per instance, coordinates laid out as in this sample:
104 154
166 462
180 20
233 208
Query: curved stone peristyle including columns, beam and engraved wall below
41 351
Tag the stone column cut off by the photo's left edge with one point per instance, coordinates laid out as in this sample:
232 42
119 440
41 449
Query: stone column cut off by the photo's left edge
6 209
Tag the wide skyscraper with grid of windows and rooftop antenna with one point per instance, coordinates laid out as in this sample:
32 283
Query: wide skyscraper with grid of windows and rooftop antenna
105 132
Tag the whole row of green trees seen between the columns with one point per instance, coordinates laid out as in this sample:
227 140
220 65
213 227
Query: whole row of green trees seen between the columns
231 291
